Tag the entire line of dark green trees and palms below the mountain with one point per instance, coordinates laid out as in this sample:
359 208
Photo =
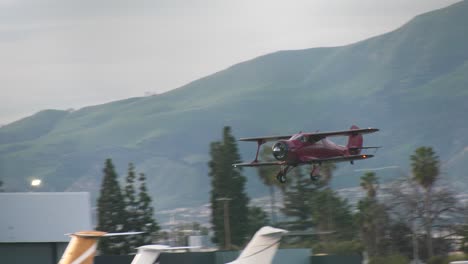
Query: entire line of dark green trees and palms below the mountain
416 217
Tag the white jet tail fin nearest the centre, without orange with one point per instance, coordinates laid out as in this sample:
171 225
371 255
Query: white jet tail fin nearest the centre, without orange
262 247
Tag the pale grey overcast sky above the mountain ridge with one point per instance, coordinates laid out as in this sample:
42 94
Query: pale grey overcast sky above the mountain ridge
60 54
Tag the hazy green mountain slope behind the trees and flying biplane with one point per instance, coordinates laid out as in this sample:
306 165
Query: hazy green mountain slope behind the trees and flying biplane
411 83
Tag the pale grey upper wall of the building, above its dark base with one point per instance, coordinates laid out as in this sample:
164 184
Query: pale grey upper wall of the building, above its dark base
43 217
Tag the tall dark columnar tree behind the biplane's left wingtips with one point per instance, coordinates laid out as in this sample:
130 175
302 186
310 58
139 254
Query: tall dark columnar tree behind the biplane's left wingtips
227 182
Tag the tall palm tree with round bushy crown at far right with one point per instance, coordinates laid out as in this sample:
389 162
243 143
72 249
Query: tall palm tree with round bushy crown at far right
425 168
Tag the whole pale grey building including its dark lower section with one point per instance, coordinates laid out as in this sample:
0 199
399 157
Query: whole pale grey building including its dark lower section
33 225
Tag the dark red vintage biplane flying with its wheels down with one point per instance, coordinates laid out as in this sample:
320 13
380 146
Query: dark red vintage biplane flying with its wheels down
311 148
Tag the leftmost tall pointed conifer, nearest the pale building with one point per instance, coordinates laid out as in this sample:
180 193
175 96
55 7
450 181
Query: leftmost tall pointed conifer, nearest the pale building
111 212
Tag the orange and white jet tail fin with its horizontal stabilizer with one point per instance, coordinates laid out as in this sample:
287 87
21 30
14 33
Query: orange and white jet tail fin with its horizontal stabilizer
83 245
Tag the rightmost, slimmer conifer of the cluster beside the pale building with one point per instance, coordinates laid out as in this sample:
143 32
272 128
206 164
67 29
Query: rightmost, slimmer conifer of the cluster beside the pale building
145 214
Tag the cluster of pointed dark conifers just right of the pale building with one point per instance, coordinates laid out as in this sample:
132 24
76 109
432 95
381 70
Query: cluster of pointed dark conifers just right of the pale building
125 209
